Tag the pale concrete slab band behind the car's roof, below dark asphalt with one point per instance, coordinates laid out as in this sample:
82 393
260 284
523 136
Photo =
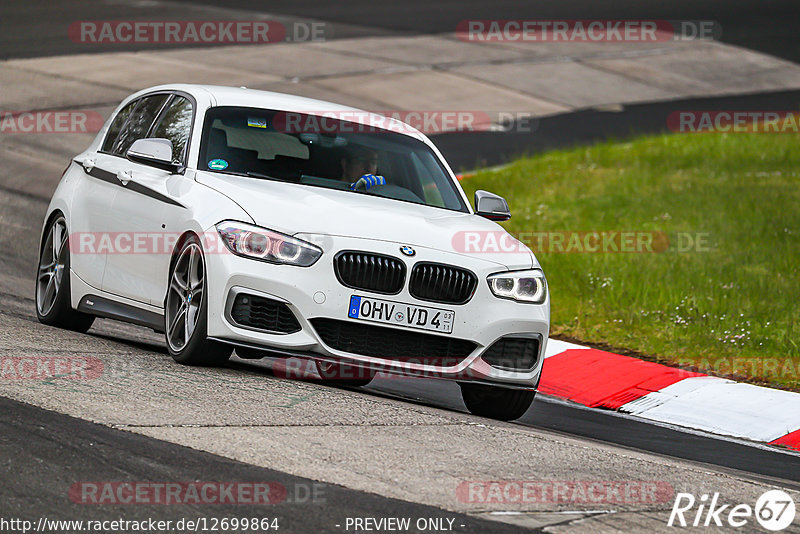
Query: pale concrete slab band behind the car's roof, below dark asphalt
415 73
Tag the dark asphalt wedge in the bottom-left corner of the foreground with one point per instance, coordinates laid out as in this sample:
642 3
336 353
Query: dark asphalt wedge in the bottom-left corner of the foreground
111 458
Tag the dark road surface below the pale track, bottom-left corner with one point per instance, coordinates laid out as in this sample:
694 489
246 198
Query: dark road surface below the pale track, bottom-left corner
58 453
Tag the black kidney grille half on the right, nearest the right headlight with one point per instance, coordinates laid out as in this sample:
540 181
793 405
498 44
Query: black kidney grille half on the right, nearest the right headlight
442 283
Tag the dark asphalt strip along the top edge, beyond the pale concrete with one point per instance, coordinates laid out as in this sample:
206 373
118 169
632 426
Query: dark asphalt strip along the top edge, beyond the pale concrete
33 28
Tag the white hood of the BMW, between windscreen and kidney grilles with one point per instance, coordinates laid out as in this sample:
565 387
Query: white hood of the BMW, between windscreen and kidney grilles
300 209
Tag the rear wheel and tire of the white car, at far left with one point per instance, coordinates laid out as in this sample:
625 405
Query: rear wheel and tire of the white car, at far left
53 294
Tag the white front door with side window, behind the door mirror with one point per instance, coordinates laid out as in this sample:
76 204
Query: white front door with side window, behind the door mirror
147 213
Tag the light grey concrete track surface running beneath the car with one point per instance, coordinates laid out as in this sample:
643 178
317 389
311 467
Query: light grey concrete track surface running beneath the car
361 441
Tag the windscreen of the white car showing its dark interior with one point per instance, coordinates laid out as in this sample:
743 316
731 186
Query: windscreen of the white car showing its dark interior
239 144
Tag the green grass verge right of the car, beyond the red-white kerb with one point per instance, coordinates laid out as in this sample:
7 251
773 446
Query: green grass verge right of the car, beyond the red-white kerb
731 310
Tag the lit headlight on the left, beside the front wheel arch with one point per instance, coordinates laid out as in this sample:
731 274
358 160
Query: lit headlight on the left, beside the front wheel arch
267 245
